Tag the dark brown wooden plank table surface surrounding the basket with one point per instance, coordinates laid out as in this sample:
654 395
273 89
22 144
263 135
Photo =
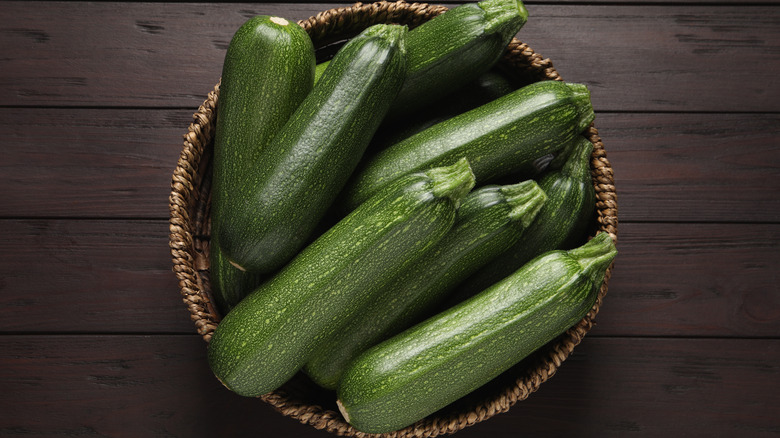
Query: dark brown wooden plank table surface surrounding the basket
94 338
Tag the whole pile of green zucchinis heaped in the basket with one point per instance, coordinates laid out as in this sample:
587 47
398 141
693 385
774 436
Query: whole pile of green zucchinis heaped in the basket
403 222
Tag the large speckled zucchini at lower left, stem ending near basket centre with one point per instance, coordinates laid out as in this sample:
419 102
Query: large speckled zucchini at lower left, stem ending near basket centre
272 332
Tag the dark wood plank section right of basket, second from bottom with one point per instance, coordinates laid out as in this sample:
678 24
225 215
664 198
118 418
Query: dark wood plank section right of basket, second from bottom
694 280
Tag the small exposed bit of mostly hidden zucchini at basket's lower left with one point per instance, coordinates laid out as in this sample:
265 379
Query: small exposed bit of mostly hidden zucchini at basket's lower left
229 285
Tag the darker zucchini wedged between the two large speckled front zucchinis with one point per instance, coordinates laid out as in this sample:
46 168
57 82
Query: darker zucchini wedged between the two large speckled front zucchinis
488 222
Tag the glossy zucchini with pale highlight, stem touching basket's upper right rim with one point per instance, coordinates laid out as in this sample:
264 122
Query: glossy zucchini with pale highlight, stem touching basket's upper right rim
498 138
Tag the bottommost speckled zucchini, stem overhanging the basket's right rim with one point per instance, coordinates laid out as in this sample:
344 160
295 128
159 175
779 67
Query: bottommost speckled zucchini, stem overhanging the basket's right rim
440 360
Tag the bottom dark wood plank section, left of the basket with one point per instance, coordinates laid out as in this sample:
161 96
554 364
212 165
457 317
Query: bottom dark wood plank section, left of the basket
123 386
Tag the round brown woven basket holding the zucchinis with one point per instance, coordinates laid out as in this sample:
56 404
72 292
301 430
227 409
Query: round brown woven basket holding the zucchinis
300 398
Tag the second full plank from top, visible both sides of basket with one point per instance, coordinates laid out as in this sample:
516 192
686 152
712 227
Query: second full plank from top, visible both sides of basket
118 163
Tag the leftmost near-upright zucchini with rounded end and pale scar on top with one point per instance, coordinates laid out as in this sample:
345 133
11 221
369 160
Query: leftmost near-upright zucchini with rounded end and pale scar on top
267 72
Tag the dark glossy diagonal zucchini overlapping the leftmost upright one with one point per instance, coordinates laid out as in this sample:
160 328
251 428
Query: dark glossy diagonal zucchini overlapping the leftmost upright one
310 159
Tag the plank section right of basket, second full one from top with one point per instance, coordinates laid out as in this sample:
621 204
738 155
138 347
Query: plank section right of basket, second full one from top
694 167
